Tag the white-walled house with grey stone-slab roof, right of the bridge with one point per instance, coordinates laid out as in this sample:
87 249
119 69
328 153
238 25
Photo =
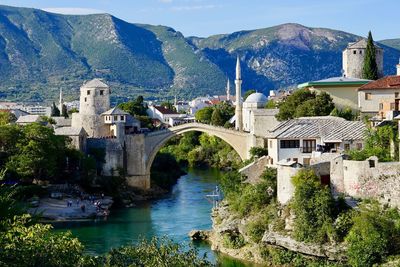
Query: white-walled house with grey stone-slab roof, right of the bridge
302 139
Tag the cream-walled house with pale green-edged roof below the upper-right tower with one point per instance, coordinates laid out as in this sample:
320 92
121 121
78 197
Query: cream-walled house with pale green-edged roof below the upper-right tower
343 90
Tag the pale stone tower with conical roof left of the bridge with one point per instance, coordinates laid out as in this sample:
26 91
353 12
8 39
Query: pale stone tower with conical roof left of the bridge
94 100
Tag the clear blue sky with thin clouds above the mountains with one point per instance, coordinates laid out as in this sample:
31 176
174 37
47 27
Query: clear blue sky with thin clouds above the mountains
208 17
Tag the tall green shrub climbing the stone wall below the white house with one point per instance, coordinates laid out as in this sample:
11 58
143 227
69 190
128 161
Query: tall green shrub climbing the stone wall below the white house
313 206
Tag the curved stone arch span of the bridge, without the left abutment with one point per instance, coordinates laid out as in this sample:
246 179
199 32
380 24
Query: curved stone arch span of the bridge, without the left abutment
239 141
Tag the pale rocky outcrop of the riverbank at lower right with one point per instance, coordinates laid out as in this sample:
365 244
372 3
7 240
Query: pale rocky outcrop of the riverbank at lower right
230 236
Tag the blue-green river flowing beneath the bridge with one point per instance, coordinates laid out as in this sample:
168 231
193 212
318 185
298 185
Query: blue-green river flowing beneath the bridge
174 215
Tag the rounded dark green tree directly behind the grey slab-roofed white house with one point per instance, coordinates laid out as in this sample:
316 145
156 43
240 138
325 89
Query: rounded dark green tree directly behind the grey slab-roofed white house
304 103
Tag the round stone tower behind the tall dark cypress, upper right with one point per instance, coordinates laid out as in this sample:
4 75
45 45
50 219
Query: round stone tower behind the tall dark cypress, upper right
353 59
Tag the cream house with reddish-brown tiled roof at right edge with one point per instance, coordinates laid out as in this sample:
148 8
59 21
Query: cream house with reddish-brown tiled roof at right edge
380 97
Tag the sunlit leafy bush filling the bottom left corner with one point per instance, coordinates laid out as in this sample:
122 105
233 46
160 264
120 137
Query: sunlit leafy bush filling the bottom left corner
27 244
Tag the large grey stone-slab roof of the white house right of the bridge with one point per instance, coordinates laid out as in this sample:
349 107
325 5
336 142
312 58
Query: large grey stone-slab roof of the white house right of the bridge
328 128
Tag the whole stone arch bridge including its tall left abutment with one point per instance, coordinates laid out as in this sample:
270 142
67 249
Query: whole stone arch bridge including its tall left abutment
141 149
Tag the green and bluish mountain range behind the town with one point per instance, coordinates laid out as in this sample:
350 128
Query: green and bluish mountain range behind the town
41 52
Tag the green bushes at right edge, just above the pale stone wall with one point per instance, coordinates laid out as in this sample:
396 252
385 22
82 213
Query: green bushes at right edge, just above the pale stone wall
378 142
